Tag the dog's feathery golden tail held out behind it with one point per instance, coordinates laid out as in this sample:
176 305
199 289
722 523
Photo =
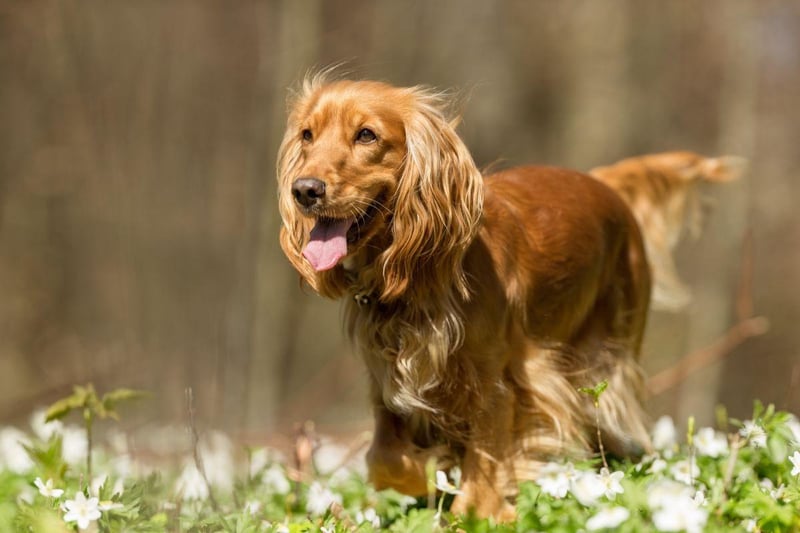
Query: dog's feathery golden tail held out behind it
664 191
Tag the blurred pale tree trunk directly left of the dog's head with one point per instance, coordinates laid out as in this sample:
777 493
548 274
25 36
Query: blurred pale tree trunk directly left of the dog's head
276 308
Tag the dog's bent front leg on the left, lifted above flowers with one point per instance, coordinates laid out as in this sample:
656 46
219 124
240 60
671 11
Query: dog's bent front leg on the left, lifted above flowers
394 460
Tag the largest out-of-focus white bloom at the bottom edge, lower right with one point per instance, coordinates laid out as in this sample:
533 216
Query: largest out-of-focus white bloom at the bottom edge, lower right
675 507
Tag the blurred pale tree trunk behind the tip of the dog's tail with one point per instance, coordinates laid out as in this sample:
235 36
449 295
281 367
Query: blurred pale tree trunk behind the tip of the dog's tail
735 26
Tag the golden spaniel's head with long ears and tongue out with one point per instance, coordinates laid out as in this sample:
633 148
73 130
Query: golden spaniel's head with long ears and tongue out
374 178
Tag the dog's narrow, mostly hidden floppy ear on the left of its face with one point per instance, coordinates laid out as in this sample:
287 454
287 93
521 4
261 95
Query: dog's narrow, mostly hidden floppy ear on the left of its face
295 229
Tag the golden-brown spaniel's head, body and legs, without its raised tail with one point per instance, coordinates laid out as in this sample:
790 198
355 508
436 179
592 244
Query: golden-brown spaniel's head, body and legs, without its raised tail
478 304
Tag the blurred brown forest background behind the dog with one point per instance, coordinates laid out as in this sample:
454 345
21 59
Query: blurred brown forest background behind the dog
138 226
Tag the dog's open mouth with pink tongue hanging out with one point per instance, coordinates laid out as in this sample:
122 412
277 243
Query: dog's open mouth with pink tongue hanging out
331 236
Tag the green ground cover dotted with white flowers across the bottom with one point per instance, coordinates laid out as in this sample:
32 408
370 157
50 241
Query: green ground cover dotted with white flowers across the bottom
742 476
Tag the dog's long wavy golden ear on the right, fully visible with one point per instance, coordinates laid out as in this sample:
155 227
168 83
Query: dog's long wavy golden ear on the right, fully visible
437 207
